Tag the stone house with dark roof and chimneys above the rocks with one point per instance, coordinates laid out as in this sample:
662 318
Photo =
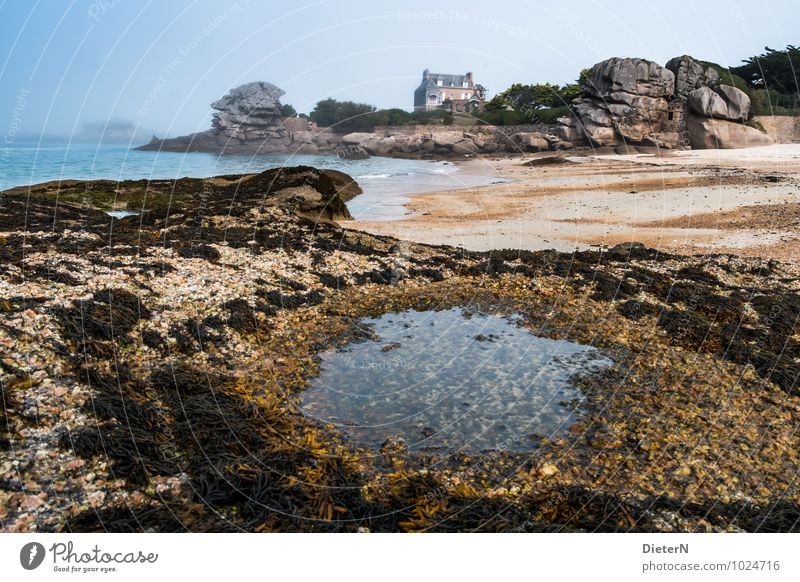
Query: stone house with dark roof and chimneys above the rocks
459 93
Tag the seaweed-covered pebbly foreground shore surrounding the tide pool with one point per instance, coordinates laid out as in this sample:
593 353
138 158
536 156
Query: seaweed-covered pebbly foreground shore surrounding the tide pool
152 367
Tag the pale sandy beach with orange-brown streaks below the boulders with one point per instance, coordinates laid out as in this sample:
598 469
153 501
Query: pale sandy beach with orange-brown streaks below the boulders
742 201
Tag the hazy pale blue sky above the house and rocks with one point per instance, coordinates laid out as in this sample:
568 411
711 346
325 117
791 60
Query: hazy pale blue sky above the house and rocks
67 67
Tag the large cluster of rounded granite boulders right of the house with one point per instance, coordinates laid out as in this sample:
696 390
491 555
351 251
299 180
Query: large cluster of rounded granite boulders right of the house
634 101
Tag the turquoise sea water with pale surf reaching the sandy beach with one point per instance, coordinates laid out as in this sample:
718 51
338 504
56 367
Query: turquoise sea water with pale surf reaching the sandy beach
385 181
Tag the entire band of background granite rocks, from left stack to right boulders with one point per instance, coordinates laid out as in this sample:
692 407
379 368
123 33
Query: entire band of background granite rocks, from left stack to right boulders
626 102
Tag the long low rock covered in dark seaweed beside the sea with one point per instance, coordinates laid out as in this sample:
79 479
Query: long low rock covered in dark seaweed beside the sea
318 195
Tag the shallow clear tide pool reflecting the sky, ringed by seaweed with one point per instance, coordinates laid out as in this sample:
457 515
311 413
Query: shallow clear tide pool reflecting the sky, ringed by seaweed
450 379
